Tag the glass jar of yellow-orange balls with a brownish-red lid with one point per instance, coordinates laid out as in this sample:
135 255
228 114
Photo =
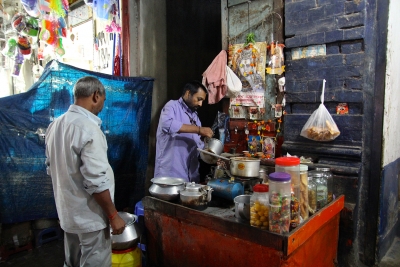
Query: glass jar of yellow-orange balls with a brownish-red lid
259 206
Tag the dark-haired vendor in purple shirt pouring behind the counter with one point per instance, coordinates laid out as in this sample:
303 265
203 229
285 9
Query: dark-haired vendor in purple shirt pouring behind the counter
178 135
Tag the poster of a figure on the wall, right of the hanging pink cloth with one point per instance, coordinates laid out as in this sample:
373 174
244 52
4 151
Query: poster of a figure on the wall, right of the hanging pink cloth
248 63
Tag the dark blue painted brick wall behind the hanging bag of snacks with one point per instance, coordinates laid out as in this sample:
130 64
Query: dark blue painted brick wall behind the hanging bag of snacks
339 25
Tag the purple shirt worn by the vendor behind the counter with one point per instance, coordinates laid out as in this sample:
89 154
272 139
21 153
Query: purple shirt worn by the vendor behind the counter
176 153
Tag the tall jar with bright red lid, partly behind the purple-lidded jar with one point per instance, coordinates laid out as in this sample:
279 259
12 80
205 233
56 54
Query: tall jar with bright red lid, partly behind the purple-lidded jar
291 165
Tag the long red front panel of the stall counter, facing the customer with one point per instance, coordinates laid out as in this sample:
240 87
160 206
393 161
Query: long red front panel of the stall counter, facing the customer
173 242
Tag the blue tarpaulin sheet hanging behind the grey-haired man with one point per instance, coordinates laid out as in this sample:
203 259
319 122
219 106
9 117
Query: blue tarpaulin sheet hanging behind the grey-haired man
26 191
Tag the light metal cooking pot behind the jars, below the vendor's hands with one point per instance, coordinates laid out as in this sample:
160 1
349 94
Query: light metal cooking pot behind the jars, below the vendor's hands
245 167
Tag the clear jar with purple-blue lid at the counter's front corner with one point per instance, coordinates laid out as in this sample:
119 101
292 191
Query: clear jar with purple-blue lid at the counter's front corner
279 202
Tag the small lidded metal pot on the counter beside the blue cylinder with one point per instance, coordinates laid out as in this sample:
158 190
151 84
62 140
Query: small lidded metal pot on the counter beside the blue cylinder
196 196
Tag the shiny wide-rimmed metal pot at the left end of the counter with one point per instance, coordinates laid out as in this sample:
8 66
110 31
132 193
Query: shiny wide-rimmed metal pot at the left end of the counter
166 188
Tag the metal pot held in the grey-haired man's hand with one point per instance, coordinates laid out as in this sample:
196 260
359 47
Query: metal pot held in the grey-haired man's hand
131 235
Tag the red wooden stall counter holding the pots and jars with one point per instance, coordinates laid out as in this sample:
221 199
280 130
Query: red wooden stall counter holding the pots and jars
180 236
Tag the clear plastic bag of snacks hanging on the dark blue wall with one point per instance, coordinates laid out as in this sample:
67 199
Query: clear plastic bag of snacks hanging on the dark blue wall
320 126
